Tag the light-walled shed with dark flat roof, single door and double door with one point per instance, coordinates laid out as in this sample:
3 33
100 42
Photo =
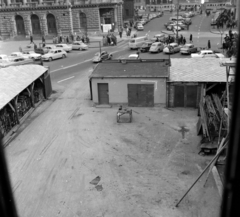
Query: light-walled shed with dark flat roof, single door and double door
137 83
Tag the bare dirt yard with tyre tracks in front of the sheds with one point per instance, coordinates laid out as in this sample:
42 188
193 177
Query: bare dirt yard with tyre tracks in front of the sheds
136 169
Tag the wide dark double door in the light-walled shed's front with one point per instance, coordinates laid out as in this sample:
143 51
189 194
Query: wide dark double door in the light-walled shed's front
141 95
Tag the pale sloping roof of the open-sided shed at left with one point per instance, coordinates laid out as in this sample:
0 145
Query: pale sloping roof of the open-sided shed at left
14 79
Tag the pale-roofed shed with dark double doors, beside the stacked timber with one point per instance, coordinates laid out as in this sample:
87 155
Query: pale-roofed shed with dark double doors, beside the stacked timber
192 78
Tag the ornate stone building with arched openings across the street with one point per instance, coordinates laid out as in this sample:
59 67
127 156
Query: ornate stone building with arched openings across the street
43 17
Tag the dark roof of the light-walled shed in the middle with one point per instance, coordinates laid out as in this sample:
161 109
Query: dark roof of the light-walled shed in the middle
131 69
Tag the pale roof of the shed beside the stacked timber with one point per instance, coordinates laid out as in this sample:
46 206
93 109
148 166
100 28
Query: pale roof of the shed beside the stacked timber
197 70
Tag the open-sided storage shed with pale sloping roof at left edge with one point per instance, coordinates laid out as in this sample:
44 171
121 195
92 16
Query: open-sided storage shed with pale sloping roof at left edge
22 88
